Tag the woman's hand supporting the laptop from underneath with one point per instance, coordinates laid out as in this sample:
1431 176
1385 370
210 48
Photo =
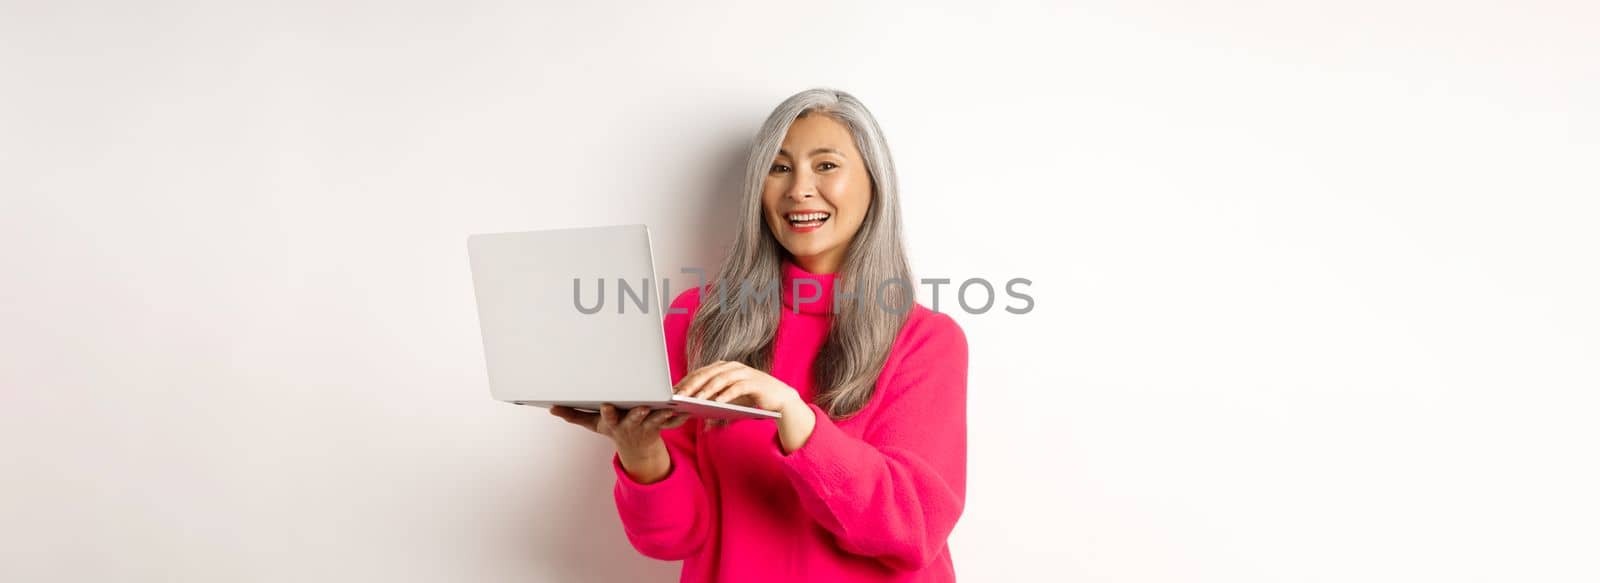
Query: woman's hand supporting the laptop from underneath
638 436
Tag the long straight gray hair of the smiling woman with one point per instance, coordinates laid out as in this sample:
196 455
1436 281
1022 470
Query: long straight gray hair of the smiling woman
865 328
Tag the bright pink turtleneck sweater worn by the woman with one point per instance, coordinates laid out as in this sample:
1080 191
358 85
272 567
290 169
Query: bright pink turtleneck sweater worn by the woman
871 499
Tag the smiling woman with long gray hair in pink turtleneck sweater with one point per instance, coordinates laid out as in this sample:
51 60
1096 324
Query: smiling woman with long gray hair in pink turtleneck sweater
865 475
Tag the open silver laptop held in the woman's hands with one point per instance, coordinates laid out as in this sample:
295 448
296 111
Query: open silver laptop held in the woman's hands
574 318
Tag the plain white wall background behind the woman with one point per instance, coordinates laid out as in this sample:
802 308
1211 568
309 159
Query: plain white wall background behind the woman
1314 279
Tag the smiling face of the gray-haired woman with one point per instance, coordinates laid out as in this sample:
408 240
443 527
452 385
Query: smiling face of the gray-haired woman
817 193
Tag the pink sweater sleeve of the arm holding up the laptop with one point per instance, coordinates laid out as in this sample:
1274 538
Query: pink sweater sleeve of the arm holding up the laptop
668 520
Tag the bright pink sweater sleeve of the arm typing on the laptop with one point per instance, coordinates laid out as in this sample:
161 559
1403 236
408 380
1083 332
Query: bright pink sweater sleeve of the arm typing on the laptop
897 493
